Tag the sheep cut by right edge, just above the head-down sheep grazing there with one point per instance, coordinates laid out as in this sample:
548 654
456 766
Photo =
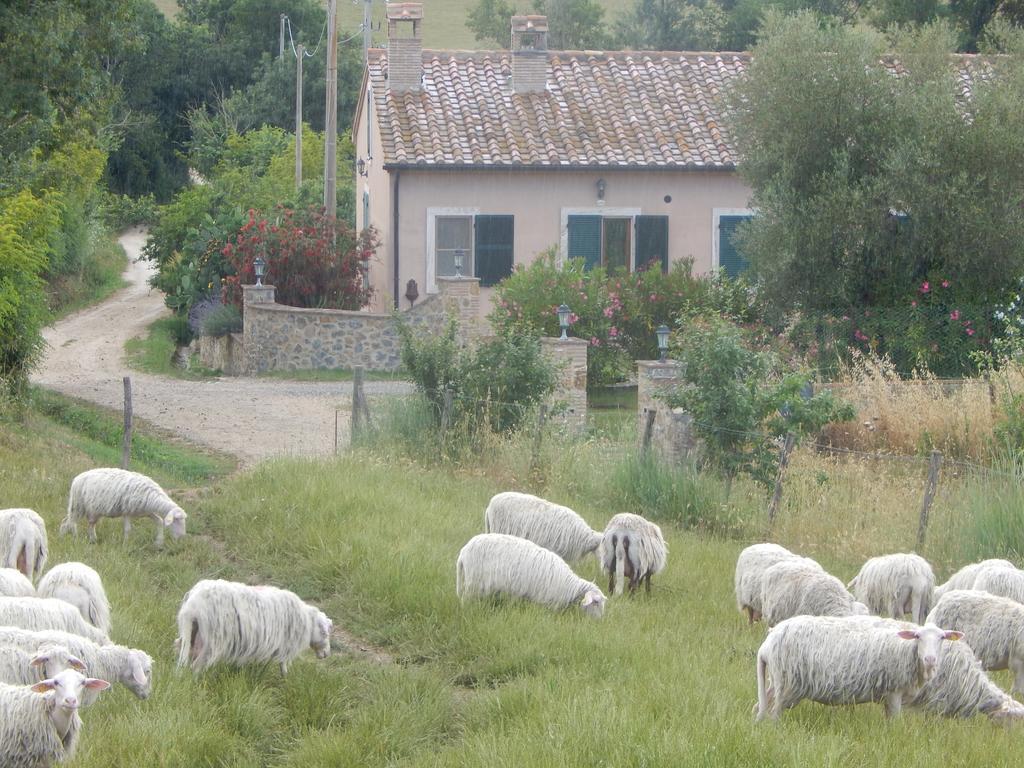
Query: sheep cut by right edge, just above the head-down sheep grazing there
993 625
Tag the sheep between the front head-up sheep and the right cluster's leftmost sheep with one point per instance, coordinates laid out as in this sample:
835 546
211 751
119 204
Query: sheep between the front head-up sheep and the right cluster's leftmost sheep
792 588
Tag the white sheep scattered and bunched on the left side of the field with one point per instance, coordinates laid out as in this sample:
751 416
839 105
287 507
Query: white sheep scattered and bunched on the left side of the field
56 626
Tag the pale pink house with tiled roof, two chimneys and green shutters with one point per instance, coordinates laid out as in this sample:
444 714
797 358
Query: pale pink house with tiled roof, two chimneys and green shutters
490 158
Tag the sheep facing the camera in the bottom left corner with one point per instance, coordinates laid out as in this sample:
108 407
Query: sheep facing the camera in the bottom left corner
39 724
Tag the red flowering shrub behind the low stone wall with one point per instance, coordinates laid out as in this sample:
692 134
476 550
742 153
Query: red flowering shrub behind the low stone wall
314 261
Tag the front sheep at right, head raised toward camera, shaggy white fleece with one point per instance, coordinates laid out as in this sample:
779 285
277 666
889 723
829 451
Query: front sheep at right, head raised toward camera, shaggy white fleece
842 661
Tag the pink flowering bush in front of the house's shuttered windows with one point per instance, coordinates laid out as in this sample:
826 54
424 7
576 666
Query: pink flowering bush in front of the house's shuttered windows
617 314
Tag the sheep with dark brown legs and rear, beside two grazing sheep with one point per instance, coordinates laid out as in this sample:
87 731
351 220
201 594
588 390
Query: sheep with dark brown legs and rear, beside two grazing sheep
632 548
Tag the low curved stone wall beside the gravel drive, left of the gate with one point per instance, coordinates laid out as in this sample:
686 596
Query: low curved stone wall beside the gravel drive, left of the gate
285 338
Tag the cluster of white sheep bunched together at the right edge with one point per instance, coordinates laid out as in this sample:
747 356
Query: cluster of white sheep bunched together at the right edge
830 646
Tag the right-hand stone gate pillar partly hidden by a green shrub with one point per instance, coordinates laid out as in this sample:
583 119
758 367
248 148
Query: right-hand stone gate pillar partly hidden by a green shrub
672 436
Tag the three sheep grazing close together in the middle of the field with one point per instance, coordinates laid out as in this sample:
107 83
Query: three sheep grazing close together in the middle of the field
530 543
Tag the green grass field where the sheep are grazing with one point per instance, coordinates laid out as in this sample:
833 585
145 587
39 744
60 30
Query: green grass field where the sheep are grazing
666 680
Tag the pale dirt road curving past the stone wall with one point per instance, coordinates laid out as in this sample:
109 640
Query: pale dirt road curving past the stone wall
251 418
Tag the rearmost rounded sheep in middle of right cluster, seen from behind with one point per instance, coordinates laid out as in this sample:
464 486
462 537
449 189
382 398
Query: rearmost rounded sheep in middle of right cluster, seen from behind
897 585
